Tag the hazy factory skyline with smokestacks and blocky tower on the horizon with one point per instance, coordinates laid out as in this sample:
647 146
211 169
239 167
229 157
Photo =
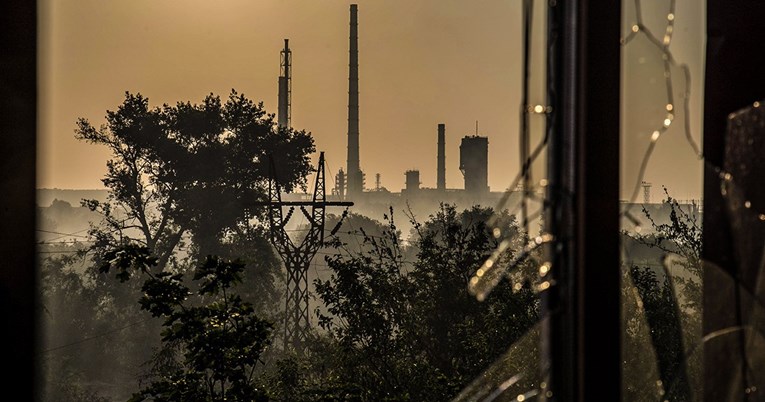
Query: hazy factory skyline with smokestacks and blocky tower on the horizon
350 183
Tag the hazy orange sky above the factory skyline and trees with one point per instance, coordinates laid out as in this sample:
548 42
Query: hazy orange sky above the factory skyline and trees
422 62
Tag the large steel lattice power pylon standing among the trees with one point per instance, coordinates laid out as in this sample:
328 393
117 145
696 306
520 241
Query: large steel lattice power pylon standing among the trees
297 257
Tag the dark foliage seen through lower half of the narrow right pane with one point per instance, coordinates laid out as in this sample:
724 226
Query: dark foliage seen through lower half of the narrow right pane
667 304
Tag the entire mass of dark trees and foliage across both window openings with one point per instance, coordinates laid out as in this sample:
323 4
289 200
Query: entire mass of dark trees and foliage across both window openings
178 294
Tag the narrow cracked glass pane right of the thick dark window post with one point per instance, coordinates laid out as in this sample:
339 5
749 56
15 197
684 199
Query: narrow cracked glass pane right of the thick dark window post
661 191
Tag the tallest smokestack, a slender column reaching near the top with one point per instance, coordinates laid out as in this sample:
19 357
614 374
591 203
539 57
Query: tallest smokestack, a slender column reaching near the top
355 181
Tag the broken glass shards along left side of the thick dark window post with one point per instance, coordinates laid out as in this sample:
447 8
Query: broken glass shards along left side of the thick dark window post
519 373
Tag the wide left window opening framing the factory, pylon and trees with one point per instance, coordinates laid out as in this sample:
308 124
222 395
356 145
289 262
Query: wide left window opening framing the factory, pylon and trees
196 234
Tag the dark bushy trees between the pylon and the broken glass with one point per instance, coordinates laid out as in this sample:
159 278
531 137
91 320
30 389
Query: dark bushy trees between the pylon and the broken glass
411 331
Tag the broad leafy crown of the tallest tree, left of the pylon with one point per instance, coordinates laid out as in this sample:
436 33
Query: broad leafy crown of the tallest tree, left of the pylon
189 169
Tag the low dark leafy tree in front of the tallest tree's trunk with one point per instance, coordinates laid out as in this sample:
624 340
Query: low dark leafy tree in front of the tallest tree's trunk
216 336
